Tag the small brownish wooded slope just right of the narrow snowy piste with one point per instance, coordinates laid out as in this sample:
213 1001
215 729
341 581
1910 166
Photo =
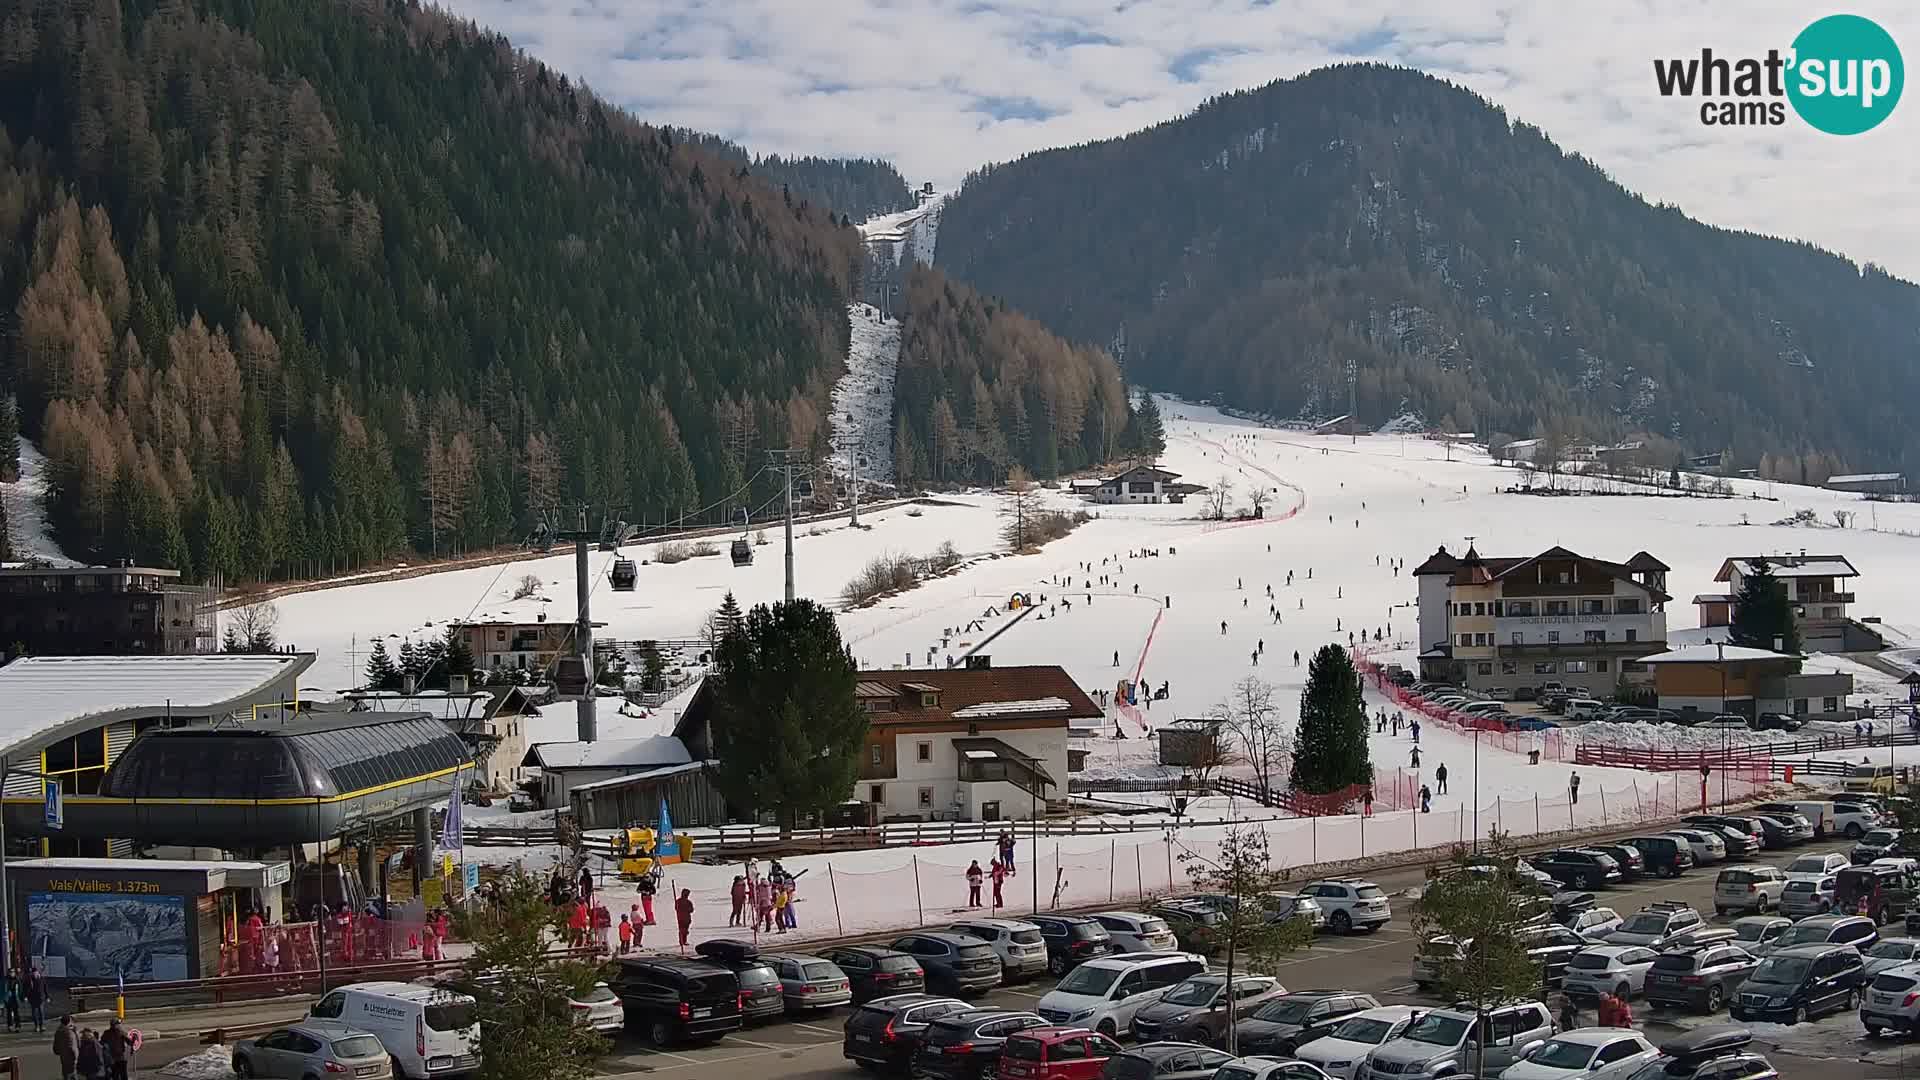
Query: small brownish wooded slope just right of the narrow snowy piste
984 387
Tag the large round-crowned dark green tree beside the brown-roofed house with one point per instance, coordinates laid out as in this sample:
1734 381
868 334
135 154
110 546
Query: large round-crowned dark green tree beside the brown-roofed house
786 727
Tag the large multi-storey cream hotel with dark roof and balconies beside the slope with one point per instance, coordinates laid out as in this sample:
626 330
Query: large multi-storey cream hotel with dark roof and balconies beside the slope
1552 618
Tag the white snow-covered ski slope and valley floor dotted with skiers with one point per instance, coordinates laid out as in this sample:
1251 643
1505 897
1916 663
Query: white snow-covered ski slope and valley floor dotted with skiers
1159 614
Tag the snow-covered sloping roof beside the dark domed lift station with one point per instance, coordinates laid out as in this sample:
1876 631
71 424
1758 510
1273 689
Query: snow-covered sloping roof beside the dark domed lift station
41 697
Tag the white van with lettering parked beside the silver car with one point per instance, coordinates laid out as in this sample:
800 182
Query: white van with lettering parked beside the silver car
431 1033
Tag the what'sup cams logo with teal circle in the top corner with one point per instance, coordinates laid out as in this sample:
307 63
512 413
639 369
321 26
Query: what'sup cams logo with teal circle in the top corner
1842 76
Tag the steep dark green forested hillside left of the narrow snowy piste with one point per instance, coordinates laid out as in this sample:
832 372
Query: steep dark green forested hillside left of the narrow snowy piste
295 285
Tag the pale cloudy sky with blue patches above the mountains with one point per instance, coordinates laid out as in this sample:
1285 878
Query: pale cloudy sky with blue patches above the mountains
942 87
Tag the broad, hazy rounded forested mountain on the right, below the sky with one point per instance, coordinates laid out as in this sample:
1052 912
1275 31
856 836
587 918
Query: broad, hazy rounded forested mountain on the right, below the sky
1456 262
